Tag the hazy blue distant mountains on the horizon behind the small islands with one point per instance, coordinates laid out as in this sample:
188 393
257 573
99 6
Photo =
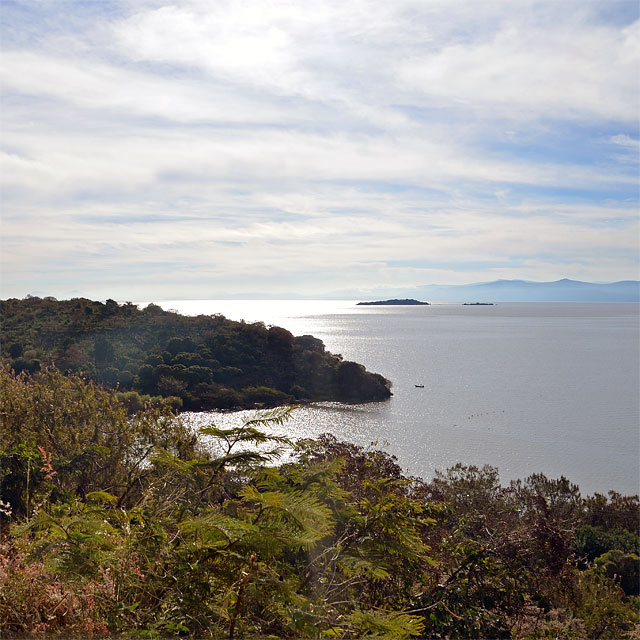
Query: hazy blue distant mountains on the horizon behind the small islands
525 291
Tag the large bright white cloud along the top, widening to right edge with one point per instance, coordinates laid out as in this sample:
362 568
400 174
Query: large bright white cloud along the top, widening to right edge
519 56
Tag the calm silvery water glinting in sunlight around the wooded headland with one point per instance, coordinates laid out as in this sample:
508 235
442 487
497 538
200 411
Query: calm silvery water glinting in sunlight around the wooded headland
535 387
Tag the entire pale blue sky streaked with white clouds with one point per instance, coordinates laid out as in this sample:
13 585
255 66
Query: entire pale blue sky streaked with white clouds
241 149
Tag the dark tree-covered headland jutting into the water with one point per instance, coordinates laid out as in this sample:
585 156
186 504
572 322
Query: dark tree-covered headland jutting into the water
201 362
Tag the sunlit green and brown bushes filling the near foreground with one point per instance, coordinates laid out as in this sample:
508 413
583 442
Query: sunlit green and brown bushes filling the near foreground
113 524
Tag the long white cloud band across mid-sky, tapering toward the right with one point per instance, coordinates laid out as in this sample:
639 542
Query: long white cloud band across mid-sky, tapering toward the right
178 162
